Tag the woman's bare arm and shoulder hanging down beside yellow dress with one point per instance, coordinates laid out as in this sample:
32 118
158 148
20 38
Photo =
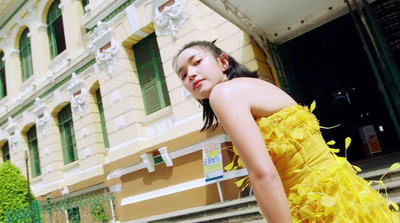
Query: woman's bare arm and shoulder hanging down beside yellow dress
233 110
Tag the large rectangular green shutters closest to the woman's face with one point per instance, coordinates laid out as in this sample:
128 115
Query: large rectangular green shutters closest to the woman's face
151 74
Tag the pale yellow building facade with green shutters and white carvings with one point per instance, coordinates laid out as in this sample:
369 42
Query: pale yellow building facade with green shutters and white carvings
88 91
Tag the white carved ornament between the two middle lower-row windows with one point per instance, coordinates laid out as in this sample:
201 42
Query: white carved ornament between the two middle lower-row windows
79 95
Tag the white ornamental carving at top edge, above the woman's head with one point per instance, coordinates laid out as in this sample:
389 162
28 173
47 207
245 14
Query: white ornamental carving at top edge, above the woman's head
170 20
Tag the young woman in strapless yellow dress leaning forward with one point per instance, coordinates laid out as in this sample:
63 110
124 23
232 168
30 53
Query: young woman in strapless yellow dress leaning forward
291 169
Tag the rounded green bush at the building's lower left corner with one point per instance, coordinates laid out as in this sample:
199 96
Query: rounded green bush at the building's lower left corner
13 189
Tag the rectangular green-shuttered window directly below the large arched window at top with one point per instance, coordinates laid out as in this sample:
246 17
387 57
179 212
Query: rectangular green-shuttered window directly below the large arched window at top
67 135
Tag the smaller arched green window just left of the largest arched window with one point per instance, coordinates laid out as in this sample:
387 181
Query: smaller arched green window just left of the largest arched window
25 55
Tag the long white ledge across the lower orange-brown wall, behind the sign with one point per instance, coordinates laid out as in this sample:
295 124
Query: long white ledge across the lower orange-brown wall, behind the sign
180 187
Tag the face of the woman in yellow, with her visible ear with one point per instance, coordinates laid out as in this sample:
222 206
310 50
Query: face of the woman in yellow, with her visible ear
200 70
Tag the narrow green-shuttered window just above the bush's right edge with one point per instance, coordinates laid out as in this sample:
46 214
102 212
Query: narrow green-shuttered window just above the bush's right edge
34 152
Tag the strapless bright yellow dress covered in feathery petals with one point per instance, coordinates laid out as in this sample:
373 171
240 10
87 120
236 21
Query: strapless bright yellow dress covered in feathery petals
320 186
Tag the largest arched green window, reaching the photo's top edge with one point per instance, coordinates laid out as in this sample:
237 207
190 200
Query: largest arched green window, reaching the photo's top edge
55 30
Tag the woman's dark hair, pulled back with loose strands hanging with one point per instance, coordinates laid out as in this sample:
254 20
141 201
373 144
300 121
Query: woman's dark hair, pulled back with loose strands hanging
234 70
